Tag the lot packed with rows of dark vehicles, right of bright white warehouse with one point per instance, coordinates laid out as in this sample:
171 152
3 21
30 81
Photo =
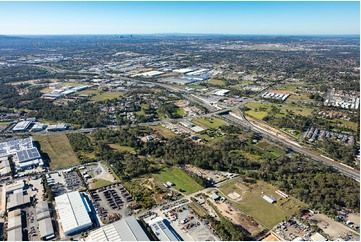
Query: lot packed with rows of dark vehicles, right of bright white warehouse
111 202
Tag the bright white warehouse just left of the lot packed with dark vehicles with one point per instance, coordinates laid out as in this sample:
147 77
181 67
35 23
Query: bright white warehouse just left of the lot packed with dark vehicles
73 212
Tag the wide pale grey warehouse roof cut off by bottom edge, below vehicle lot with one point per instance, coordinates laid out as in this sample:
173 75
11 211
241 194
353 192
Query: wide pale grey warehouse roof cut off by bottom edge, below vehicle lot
127 229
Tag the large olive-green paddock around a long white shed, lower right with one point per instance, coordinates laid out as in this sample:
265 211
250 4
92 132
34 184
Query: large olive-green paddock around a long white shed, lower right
255 206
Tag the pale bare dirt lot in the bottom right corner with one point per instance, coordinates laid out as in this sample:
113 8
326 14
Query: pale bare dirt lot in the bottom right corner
334 229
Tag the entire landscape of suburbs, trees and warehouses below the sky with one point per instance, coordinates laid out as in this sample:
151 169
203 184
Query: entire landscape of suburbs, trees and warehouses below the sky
179 137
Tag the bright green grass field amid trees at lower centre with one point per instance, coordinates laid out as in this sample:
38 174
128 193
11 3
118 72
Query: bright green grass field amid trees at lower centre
180 179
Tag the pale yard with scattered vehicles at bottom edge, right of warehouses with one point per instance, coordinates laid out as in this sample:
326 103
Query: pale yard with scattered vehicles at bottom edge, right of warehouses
188 226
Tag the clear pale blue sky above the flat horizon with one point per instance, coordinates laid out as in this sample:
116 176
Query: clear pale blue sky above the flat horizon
179 17
